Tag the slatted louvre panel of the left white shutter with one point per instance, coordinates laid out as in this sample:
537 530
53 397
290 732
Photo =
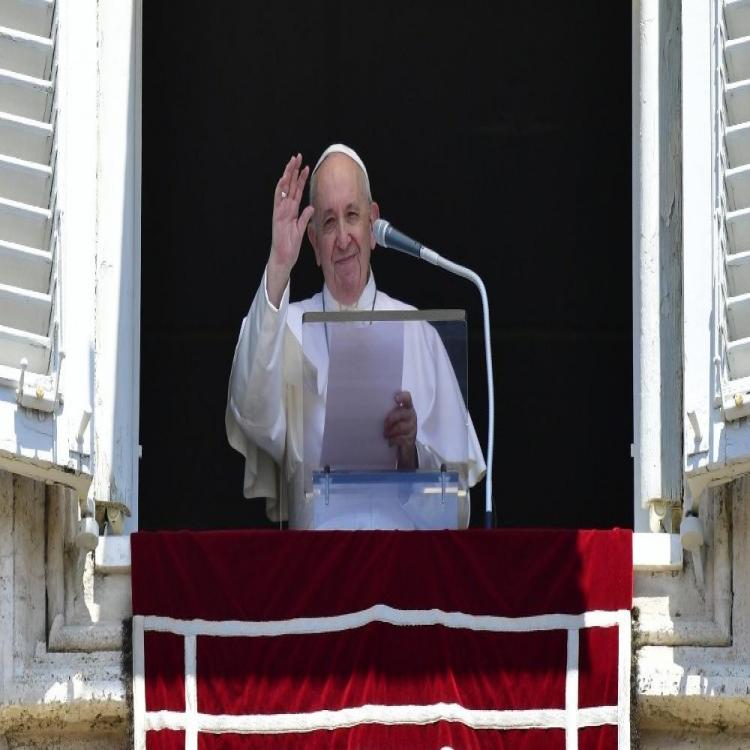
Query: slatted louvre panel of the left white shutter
29 226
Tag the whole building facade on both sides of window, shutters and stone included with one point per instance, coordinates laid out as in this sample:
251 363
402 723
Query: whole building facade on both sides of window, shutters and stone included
70 73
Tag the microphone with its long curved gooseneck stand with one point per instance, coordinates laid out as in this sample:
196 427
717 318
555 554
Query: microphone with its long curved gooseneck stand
387 235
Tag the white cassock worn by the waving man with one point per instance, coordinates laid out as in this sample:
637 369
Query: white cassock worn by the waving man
264 416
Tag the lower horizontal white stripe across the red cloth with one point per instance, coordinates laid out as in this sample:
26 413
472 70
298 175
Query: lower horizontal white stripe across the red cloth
545 718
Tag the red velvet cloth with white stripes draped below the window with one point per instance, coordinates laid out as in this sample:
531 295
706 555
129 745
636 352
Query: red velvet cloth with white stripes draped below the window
470 639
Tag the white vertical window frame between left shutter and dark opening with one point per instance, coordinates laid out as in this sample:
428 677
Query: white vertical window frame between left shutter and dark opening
118 261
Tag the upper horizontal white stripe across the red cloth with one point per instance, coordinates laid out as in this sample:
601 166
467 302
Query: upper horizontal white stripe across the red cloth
386 614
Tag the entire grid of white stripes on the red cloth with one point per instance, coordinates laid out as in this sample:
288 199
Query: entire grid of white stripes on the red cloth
570 718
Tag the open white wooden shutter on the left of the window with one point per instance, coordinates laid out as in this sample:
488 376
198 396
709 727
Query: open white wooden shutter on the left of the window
47 92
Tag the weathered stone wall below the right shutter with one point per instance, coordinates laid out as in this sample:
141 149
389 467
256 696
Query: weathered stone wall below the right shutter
694 659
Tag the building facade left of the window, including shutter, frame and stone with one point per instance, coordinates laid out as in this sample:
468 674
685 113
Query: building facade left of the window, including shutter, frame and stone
69 244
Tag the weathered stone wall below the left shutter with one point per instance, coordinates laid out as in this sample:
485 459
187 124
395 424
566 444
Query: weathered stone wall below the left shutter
60 626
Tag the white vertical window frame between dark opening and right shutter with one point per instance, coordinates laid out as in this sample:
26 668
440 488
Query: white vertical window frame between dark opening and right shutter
656 405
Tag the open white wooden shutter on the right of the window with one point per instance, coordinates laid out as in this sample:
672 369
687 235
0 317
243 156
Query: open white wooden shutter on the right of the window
716 240
